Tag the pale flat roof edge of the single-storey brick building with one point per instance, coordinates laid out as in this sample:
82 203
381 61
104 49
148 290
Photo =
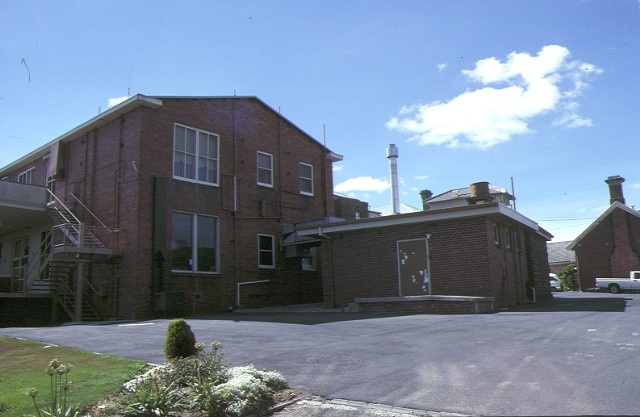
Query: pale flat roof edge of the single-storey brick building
486 209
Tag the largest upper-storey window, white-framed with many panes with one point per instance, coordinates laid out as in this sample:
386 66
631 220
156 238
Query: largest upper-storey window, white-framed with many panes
195 155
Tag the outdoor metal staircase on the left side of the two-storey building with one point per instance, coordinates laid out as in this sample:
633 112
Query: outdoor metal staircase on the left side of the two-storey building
57 269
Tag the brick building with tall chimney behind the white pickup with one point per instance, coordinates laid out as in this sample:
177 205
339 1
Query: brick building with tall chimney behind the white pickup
609 247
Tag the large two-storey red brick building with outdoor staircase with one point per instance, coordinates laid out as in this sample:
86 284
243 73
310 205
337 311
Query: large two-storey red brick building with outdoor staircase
163 205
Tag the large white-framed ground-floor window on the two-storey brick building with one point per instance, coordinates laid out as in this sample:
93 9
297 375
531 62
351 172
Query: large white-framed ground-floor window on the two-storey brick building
194 245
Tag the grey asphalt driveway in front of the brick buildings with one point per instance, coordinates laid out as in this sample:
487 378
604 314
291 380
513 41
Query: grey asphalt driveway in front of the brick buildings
576 355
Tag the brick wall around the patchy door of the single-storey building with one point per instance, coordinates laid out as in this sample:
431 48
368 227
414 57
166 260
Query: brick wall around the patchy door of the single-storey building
464 260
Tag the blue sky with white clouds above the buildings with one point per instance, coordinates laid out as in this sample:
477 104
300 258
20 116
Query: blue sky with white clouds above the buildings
544 92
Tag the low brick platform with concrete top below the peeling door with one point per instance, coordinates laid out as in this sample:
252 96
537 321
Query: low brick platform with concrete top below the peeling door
425 304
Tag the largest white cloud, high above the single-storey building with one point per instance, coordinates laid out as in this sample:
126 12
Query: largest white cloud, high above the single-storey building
513 93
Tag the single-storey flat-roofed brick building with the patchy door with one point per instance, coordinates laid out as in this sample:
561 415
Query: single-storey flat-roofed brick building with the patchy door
473 244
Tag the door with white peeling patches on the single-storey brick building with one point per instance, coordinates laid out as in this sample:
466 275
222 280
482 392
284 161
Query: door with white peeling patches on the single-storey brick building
413 267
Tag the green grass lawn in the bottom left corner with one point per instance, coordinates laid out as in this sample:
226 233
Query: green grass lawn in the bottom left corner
23 366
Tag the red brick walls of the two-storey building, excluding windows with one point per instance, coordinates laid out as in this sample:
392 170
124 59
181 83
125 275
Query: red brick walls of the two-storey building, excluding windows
113 169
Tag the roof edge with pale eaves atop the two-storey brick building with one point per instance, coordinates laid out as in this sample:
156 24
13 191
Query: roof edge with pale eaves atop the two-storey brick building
132 103
